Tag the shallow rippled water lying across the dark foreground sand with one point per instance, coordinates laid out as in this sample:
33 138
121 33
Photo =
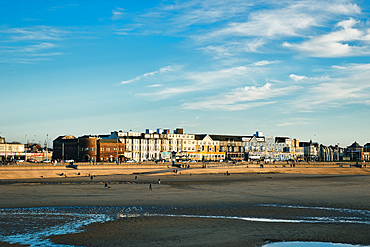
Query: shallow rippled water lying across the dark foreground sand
32 226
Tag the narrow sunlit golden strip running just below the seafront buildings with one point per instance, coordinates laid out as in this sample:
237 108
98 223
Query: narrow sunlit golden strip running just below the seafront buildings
42 170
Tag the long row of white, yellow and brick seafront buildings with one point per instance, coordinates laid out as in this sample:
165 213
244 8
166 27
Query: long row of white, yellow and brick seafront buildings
162 145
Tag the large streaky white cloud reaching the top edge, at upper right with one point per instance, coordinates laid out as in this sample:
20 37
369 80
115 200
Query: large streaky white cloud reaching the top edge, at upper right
287 18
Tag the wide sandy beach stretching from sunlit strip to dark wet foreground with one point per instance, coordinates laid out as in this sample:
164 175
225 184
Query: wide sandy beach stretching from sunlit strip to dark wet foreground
202 207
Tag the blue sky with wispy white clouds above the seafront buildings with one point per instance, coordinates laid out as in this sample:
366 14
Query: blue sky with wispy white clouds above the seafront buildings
298 69
